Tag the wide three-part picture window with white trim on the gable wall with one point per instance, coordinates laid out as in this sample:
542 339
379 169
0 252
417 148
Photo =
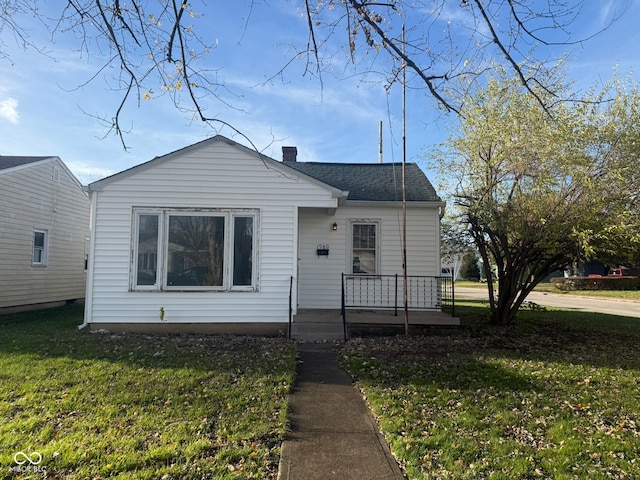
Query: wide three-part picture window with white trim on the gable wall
181 249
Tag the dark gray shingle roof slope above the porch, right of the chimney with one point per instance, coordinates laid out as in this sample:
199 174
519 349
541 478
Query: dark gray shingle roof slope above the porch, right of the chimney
372 181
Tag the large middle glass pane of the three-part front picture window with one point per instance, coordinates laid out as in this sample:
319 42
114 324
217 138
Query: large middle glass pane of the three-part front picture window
195 251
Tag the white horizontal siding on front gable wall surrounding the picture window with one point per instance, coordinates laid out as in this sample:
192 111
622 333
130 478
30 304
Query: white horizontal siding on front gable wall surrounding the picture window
212 176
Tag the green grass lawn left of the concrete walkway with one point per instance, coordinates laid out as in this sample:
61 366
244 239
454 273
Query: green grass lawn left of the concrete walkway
141 407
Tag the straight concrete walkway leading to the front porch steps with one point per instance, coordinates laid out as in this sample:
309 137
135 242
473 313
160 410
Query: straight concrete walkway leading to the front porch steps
333 433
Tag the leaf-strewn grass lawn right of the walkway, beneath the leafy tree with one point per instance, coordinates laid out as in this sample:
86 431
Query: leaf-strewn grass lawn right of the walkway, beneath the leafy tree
556 396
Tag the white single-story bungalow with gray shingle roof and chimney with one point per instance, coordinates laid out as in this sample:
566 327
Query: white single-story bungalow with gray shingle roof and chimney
216 237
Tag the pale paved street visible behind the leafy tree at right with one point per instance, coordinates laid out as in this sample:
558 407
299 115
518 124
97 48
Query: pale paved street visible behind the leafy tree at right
625 308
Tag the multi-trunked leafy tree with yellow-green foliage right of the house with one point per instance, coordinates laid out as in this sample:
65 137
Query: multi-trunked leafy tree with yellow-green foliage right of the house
539 188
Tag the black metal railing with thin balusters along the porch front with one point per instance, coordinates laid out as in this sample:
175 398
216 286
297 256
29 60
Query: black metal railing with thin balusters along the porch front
386 292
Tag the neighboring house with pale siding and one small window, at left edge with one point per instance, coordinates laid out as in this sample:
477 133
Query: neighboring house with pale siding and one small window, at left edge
44 233
